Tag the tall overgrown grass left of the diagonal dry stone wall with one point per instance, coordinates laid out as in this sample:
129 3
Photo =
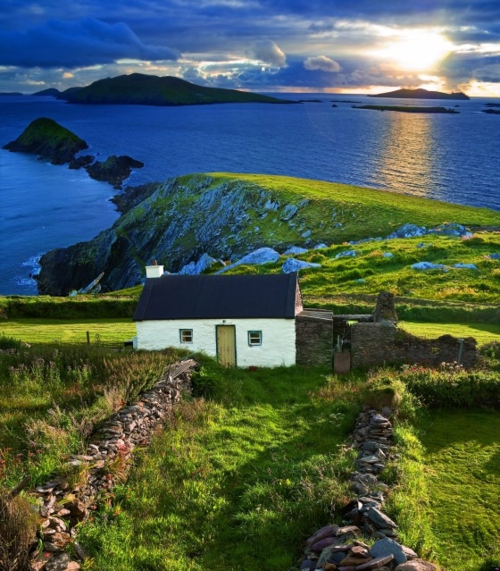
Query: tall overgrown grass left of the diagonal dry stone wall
53 396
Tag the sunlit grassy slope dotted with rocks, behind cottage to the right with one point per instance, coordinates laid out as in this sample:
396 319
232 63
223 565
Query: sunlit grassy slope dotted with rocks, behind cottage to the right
370 271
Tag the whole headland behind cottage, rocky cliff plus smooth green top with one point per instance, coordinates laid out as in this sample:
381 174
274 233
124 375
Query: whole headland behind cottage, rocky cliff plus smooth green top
227 216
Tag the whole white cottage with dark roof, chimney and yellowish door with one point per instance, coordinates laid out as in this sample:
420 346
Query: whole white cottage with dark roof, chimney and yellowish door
243 320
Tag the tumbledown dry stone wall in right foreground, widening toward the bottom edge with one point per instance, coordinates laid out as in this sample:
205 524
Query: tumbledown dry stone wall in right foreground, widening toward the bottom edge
341 548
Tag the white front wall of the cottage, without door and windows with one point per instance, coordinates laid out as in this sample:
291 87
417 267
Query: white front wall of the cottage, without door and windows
278 338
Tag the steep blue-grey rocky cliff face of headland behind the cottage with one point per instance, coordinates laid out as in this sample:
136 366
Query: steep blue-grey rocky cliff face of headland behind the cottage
183 219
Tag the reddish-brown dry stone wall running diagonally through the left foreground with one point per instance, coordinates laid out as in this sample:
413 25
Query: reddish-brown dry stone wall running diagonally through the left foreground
66 501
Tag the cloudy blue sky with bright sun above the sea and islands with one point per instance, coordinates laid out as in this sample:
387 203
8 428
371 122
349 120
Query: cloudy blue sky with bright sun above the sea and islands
331 46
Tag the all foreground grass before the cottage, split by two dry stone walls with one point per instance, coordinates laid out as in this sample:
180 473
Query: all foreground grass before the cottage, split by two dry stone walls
256 462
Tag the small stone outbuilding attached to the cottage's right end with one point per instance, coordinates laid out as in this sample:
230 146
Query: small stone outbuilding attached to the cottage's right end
314 337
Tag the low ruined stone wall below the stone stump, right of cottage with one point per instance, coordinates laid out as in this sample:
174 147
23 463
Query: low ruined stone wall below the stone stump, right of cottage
378 343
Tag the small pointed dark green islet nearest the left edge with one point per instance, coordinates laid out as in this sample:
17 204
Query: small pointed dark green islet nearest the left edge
46 138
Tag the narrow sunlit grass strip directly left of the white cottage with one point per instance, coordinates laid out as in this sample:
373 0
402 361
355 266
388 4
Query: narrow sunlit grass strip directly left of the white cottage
114 331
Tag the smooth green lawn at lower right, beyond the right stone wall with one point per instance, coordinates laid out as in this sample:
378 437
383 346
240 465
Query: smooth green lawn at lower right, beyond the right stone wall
462 455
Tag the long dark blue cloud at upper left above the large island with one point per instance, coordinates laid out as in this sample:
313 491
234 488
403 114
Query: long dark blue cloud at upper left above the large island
84 42
